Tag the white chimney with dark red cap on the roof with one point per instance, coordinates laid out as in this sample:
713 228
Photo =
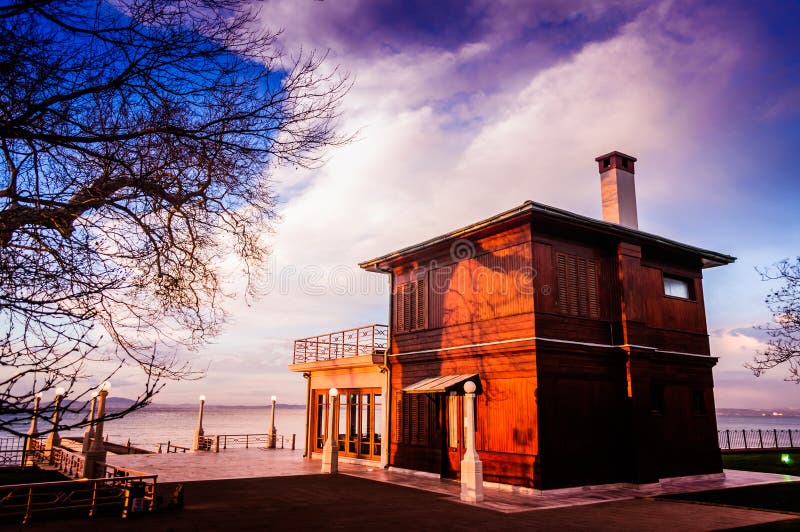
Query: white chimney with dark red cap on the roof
618 189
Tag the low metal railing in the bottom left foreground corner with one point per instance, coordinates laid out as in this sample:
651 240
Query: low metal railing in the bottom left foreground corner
22 502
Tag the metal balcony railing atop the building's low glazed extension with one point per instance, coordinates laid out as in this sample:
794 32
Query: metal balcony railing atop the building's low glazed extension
369 340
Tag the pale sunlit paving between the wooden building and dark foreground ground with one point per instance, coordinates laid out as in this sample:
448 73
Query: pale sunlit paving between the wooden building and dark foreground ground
260 463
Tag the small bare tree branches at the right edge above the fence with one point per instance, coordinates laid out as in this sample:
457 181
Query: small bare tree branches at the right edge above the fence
783 346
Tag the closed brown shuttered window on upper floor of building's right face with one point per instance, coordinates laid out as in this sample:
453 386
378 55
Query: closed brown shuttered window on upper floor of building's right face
577 286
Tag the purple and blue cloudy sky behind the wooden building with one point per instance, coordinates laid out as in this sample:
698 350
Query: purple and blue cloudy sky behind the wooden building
463 109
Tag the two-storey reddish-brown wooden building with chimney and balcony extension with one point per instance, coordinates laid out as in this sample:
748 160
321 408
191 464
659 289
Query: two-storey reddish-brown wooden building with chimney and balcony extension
587 340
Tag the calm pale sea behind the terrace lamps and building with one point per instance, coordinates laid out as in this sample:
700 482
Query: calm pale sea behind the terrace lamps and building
159 424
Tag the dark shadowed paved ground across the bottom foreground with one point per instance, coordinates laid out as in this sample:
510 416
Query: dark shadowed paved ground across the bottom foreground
344 502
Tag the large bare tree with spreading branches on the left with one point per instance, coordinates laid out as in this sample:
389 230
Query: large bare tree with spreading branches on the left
135 138
